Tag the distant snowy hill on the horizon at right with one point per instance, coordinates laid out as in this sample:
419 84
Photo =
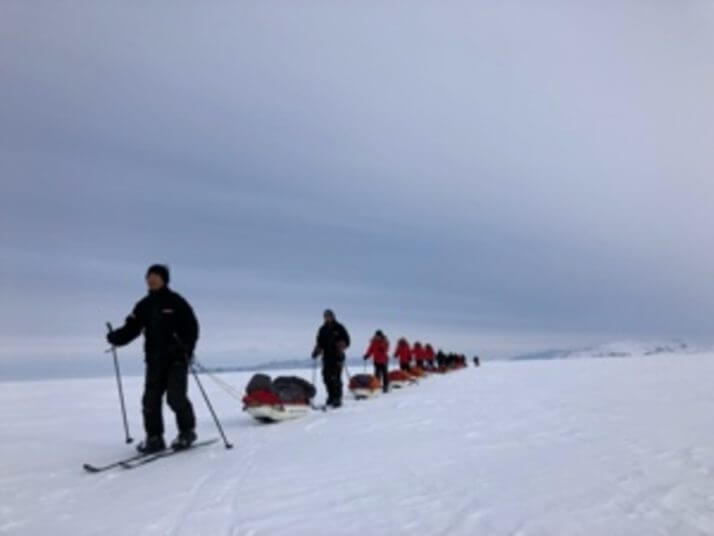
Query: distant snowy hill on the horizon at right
616 349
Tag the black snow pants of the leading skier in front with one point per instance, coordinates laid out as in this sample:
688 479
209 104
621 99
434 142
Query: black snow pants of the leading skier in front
170 377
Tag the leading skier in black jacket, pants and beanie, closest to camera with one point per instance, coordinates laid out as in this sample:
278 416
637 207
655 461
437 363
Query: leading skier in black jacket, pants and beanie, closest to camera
170 333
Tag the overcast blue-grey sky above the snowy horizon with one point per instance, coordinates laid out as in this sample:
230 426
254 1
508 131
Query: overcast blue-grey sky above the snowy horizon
495 177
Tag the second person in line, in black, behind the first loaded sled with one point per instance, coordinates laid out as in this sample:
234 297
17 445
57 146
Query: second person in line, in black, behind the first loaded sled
332 341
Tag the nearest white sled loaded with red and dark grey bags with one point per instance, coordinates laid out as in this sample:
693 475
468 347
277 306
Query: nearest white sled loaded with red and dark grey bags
282 399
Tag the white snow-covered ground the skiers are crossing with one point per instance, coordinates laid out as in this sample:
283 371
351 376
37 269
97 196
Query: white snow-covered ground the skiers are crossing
600 447
